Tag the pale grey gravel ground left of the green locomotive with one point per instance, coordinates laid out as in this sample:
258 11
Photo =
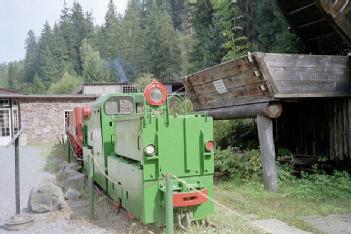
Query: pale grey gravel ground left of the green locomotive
73 218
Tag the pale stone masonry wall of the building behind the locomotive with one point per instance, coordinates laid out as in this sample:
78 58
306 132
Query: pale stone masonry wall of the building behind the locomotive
43 119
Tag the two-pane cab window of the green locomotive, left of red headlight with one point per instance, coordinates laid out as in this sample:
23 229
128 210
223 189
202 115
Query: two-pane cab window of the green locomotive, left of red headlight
119 105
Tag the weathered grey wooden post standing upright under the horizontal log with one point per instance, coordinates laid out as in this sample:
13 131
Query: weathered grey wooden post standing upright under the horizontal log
265 135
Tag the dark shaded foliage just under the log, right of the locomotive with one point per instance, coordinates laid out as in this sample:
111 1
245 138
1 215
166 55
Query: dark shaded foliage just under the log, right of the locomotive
241 134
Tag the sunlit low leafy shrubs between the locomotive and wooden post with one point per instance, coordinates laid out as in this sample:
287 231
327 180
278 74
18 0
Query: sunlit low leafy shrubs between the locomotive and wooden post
234 164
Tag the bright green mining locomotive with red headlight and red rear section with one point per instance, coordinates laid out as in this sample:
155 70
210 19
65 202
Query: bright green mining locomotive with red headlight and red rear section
137 140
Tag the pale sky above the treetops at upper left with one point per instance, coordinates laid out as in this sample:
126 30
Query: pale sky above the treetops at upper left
17 17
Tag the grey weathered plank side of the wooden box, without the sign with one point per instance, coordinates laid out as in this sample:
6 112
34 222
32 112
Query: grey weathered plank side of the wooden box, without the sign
308 74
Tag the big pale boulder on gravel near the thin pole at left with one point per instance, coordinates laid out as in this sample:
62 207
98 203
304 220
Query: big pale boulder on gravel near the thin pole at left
47 197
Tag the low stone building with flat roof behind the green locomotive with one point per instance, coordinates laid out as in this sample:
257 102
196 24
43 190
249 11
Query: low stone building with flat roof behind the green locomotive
42 117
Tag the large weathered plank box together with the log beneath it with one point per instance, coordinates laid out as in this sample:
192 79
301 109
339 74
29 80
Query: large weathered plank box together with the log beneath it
254 85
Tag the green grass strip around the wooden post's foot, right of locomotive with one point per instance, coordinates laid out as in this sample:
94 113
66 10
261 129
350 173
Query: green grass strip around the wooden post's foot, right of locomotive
313 194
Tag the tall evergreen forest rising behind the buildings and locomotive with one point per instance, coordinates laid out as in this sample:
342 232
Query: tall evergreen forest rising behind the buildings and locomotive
162 38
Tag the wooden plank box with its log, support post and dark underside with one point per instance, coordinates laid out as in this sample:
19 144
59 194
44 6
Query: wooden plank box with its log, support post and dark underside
307 96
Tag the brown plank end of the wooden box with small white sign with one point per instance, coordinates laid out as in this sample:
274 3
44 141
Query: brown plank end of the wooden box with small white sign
233 83
